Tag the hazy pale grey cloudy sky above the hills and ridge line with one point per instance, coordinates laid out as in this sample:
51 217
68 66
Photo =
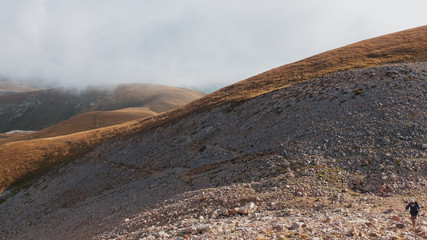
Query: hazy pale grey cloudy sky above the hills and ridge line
190 43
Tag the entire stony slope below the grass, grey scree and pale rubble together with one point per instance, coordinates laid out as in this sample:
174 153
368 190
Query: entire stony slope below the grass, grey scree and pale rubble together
356 144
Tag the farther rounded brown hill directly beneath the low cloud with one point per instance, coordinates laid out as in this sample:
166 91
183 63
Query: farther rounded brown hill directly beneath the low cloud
37 110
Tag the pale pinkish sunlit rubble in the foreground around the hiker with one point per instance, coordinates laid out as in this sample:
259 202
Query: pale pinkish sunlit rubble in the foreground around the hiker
240 212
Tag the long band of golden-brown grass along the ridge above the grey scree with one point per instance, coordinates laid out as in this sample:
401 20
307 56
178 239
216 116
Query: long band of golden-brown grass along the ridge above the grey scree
19 159
